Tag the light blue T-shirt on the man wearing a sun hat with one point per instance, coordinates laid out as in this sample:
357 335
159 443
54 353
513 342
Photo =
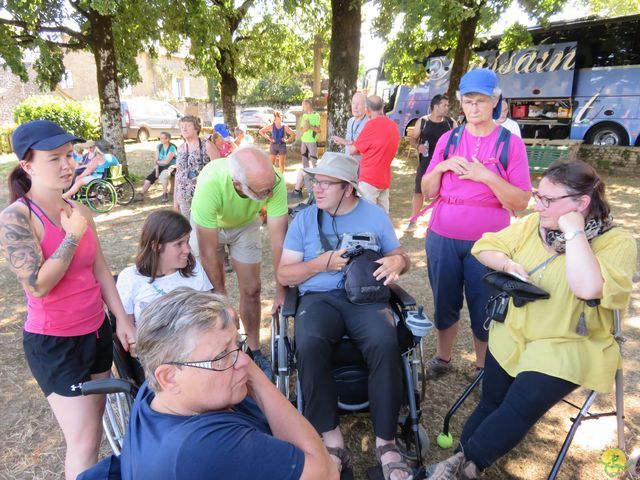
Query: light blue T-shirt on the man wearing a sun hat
303 236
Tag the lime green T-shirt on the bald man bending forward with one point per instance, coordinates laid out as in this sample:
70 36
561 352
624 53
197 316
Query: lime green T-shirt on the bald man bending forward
217 204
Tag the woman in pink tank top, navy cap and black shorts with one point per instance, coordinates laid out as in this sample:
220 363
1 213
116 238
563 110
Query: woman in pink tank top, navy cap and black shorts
51 245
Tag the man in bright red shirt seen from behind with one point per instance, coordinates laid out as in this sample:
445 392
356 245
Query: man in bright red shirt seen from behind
377 143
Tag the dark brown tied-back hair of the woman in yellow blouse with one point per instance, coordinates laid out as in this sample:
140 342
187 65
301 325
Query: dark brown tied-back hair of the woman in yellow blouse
580 178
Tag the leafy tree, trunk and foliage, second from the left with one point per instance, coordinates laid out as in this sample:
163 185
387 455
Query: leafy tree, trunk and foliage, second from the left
228 41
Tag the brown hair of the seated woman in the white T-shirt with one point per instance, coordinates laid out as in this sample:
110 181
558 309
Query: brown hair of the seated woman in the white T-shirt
159 228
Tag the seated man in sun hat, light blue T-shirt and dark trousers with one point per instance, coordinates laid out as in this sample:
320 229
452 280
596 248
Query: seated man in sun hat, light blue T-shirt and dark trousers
325 314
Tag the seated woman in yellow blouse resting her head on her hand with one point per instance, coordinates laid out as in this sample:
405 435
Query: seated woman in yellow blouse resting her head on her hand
548 348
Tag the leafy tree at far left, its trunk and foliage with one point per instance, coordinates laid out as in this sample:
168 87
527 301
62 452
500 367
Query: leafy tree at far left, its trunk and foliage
114 31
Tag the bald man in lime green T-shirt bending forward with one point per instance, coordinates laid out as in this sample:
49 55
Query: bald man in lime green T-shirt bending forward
229 195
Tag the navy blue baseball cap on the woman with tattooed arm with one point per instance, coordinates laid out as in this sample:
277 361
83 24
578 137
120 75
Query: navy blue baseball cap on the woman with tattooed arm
39 135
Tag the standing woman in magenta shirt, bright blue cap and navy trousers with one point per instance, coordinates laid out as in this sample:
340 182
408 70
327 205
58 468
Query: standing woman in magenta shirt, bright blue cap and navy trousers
475 195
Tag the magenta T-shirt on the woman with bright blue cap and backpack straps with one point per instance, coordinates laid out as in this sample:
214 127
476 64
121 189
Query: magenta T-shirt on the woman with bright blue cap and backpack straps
469 222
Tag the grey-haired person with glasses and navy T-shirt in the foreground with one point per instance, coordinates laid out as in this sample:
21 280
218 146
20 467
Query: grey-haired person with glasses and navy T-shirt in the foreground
206 409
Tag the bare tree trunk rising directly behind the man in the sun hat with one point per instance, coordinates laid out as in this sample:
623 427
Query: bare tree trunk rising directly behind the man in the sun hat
343 65
